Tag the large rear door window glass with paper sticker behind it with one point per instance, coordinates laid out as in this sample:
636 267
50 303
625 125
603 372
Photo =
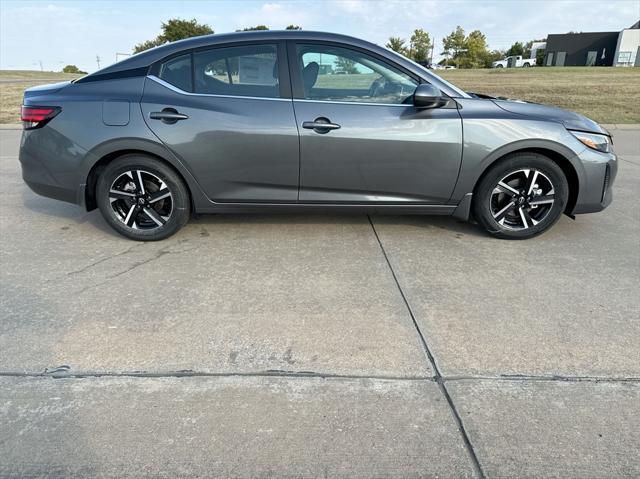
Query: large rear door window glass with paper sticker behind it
250 70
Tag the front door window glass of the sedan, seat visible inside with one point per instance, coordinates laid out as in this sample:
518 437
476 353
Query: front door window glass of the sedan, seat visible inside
339 74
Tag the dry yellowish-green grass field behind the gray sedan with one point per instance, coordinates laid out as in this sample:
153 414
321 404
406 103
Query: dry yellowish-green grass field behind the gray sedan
607 95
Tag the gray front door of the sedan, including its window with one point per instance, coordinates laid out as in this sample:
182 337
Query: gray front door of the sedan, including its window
361 138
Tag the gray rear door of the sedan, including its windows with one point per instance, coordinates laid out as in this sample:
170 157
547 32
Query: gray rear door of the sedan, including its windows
226 112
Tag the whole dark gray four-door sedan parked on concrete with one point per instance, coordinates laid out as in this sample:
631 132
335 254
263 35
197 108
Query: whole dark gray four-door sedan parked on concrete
258 121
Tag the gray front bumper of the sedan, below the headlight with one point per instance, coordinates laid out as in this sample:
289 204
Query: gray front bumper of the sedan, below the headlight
596 184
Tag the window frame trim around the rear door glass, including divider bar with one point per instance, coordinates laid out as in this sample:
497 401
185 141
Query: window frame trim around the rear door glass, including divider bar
284 80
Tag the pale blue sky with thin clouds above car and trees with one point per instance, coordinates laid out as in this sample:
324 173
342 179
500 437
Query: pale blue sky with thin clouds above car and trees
58 33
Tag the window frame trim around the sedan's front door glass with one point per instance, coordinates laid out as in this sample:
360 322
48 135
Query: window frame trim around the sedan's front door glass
296 71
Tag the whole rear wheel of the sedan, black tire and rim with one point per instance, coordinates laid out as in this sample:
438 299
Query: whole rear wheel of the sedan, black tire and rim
148 217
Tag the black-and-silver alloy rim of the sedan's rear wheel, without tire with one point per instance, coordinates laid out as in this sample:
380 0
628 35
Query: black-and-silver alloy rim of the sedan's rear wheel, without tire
141 200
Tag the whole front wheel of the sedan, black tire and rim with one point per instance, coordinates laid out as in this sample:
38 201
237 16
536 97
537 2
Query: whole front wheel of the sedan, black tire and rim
533 209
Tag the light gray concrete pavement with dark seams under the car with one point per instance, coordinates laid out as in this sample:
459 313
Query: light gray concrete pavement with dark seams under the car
305 346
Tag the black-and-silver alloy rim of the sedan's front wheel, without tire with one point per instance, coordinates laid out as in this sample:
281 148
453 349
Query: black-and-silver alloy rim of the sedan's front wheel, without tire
522 199
